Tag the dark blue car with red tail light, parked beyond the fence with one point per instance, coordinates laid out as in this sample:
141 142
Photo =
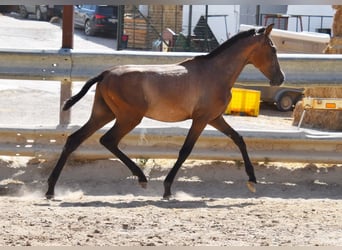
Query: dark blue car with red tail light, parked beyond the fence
96 19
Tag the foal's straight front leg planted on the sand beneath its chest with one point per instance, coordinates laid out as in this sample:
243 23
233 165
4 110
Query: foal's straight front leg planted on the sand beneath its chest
194 132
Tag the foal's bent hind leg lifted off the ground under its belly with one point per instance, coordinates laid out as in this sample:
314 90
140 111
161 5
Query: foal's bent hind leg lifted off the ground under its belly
112 138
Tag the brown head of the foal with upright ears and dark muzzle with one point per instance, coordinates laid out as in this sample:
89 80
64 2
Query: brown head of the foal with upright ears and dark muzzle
264 57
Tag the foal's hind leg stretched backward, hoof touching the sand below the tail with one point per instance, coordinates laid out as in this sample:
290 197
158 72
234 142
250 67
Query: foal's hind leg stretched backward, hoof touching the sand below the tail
100 116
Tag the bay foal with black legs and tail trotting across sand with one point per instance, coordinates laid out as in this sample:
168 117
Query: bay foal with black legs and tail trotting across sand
198 88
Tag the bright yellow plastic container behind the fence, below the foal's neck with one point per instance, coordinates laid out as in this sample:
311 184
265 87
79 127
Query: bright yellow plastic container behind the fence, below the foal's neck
244 102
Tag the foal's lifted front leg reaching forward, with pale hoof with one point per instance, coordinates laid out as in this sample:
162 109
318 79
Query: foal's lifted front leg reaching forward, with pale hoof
221 125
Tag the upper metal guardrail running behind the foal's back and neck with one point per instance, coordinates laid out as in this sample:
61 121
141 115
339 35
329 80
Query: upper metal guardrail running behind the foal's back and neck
61 65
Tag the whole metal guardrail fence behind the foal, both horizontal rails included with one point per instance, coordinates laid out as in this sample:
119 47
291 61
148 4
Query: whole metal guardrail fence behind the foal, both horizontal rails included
66 66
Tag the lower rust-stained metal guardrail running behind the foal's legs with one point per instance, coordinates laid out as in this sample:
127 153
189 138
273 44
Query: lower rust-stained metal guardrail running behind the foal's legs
267 146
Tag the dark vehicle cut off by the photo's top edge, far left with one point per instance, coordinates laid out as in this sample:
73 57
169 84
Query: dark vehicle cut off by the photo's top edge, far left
42 12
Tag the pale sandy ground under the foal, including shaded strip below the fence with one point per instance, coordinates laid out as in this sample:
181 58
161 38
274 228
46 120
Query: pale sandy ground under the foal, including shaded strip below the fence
98 203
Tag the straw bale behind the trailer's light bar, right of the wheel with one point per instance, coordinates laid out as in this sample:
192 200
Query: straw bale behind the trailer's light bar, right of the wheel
320 119
